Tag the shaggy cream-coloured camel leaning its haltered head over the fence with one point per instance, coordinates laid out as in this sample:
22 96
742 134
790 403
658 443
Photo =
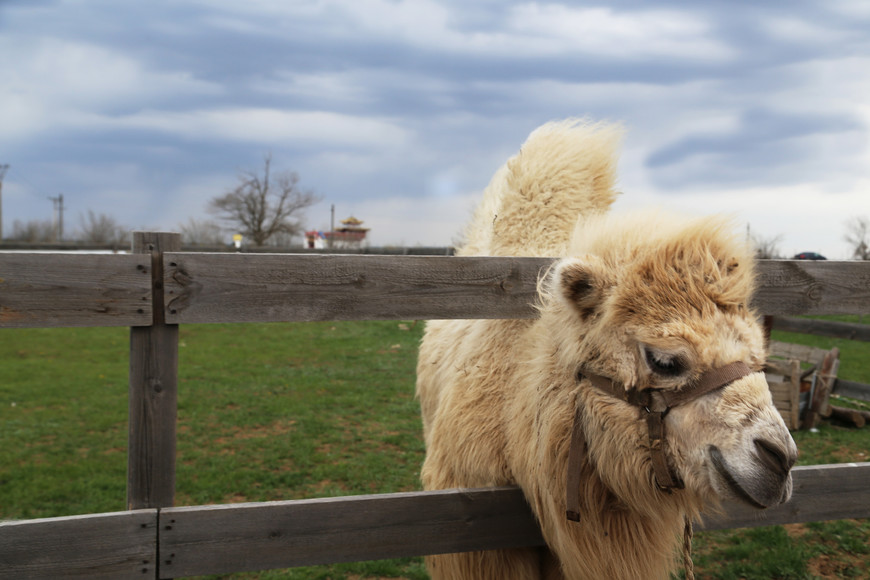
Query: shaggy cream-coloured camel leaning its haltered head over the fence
637 309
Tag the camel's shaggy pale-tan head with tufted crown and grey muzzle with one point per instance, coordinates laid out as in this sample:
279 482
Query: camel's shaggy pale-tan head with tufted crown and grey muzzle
655 303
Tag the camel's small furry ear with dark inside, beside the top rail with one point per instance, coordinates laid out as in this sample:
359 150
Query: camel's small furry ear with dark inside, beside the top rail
582 282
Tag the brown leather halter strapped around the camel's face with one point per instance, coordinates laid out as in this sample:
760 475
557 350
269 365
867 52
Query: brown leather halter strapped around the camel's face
656 403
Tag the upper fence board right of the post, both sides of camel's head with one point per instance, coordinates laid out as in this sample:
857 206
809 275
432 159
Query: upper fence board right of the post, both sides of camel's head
292 287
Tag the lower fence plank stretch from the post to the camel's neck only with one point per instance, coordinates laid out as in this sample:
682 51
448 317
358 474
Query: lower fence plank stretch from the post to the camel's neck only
230 538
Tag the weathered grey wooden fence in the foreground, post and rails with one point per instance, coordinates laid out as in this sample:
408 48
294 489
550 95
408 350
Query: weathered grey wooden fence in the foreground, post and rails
156 288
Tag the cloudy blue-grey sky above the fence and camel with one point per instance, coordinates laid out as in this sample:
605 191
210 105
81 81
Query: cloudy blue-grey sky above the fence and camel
399 111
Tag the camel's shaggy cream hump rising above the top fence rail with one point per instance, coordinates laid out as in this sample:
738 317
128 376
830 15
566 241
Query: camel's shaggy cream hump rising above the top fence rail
564 171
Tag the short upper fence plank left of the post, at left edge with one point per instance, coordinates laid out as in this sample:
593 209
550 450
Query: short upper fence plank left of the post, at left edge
51 290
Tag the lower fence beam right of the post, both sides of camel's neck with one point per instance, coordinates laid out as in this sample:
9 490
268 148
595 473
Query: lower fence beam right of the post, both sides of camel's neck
257 536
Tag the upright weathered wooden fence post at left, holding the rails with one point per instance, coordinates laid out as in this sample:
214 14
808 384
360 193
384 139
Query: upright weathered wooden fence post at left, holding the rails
153 390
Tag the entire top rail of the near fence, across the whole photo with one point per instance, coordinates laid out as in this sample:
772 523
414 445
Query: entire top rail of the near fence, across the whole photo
45 290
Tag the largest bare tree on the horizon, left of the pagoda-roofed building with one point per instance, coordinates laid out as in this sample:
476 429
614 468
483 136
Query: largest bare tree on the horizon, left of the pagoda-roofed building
263 205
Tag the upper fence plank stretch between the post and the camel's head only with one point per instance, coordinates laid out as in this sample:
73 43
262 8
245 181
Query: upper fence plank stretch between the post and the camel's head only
244 287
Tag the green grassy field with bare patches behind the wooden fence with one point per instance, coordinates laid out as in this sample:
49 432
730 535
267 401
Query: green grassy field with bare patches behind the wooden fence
285 411
